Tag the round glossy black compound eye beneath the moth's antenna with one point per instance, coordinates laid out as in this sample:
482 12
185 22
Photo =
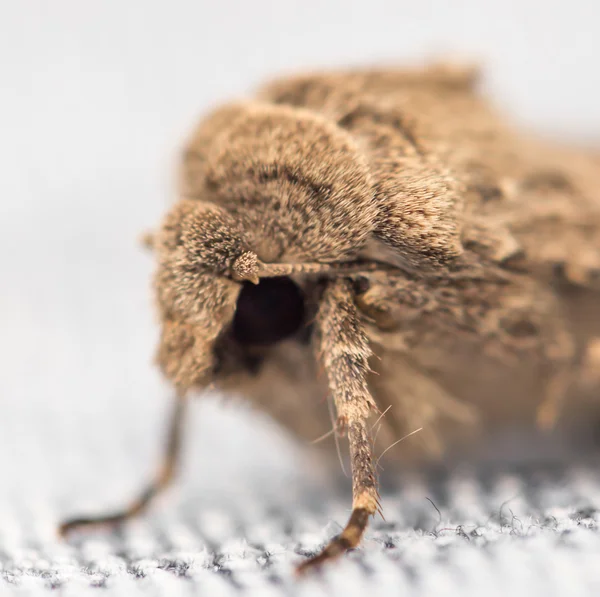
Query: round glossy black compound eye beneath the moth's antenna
268 312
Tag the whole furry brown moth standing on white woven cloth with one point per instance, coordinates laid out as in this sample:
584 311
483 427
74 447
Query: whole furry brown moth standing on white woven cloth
386 239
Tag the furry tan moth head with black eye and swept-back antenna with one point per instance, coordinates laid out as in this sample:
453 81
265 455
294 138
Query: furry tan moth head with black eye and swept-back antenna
222 306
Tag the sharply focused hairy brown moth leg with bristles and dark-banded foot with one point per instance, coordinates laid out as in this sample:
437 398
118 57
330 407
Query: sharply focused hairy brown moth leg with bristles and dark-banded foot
344 353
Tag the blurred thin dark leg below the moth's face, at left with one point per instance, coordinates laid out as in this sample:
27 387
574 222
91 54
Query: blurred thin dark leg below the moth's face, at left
165 475
